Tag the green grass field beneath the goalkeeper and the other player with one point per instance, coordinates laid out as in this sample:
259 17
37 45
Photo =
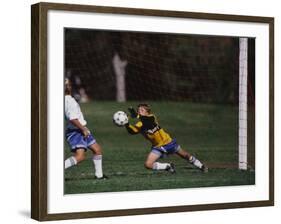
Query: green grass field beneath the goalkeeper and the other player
210 132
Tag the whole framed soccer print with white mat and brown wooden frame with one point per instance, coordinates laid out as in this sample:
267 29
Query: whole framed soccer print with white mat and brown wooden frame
138 111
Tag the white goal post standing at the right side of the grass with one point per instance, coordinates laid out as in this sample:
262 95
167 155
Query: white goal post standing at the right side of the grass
243 80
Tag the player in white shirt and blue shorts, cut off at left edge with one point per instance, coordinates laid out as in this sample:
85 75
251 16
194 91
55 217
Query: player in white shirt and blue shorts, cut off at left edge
78 135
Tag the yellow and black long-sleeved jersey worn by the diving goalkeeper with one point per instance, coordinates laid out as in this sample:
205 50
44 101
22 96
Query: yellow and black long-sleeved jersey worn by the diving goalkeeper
150 129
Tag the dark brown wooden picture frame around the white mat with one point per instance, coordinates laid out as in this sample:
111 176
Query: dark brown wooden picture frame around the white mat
39 108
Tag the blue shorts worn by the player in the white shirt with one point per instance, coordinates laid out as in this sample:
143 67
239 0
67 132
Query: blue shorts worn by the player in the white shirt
76 140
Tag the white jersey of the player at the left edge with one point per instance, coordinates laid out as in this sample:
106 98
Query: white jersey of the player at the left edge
72 111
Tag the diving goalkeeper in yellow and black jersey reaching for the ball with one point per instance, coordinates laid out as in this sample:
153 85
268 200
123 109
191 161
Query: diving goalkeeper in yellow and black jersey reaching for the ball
162 143
